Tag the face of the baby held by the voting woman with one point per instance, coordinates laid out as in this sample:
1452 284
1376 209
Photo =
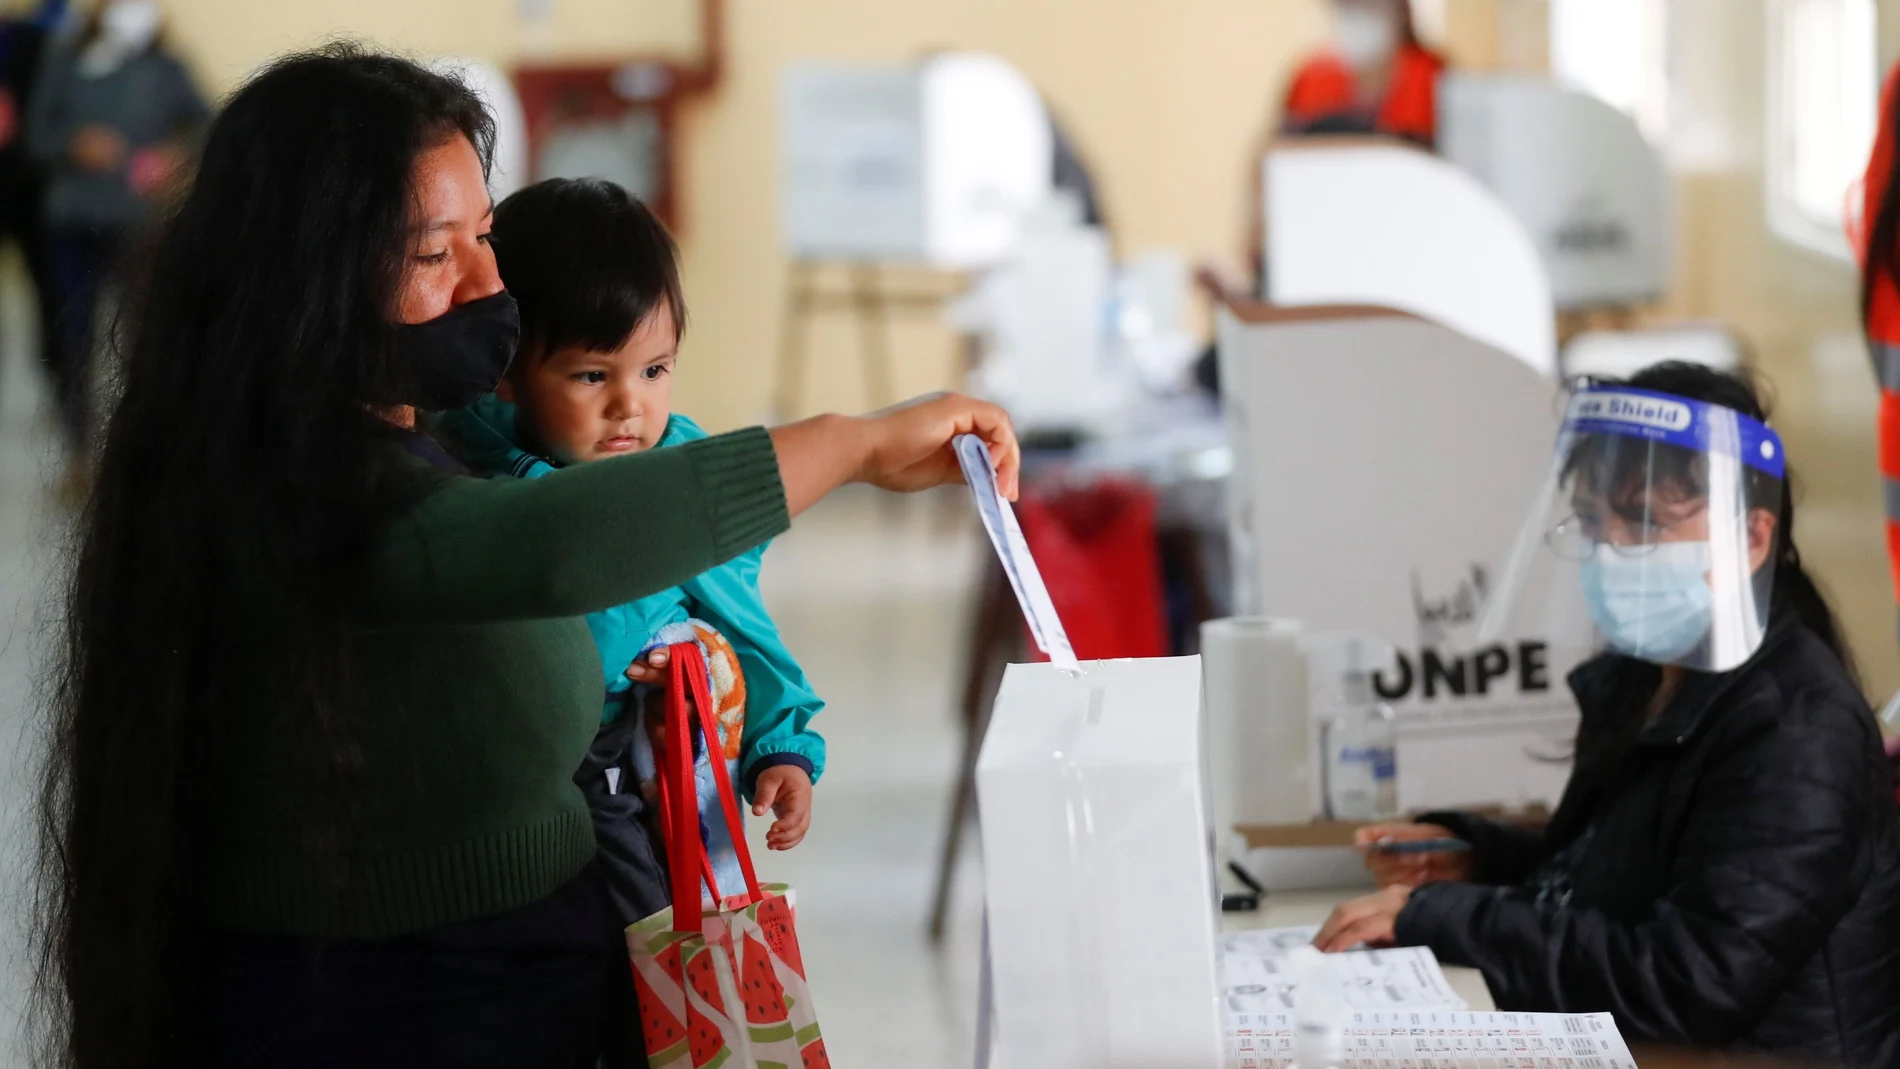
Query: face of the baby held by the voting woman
586 405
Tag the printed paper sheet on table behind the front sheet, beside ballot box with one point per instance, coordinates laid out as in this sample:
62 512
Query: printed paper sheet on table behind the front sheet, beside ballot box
1257 979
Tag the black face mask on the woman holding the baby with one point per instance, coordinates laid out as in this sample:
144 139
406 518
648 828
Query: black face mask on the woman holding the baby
463 354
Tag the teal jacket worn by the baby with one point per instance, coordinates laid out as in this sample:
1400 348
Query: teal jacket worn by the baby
780 700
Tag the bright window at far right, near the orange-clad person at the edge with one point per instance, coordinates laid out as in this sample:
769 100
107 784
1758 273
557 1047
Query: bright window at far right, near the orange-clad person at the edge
1823 109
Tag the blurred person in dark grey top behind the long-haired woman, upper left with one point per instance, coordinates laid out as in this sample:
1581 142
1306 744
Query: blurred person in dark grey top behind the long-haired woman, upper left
111 121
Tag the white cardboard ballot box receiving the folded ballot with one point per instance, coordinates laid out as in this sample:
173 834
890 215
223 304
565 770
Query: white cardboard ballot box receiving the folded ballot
1099 869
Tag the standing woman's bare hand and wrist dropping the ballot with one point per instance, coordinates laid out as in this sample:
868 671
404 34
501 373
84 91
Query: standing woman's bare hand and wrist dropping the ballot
898 449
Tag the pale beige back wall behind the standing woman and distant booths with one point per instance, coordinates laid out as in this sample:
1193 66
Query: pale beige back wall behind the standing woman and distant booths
1162 98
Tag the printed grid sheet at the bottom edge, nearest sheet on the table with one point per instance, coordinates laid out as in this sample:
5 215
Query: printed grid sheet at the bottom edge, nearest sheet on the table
1443 1040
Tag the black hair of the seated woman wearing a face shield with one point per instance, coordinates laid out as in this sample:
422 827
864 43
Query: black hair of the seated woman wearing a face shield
1793 595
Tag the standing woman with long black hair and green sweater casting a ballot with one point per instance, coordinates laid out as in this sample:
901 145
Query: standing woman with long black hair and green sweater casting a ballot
311 791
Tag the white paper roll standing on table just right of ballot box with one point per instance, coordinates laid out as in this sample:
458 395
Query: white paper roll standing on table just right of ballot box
1259 724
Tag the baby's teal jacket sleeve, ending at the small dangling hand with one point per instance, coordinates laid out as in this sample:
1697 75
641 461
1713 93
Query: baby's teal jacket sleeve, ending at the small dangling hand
780 700
